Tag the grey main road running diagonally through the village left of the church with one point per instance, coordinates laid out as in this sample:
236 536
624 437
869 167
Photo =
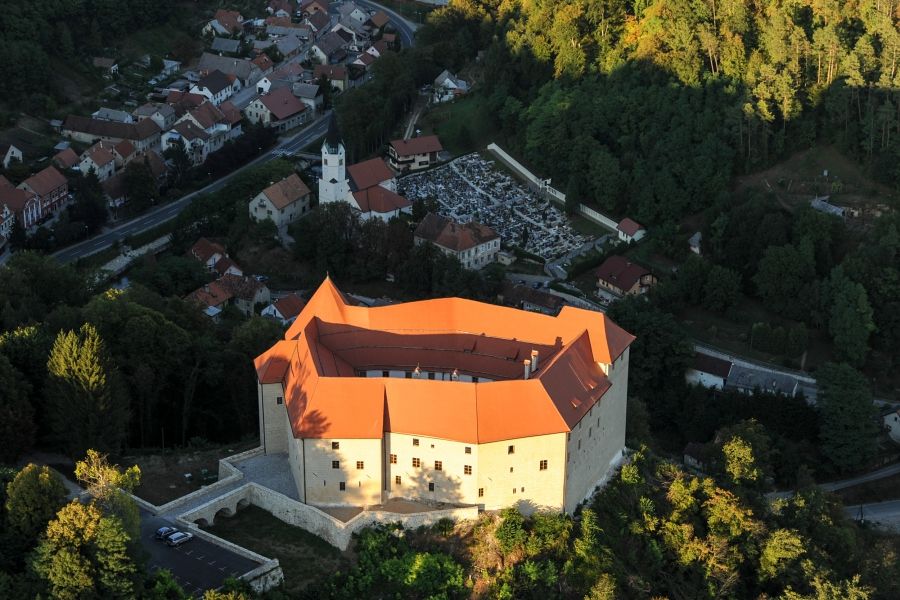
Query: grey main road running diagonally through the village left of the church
167 212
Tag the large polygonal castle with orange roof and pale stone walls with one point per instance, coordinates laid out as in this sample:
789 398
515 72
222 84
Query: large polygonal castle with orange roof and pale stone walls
445 400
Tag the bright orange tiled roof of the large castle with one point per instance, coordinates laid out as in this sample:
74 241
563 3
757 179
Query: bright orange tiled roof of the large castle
331 341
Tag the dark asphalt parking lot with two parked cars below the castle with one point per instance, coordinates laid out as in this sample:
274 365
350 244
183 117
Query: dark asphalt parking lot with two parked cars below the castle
197 565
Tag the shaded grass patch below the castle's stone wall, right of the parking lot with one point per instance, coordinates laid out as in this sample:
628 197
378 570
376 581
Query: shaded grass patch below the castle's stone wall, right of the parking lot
304 557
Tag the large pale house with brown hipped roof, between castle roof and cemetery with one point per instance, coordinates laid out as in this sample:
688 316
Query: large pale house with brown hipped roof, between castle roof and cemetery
474 245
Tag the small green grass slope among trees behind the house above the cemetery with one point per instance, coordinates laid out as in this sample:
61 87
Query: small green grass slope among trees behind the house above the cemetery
462 125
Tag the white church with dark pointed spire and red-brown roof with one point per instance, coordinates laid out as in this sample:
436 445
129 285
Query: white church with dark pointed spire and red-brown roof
370 187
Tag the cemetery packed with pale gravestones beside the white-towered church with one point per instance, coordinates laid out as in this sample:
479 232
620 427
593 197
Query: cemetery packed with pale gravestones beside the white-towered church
470 188
